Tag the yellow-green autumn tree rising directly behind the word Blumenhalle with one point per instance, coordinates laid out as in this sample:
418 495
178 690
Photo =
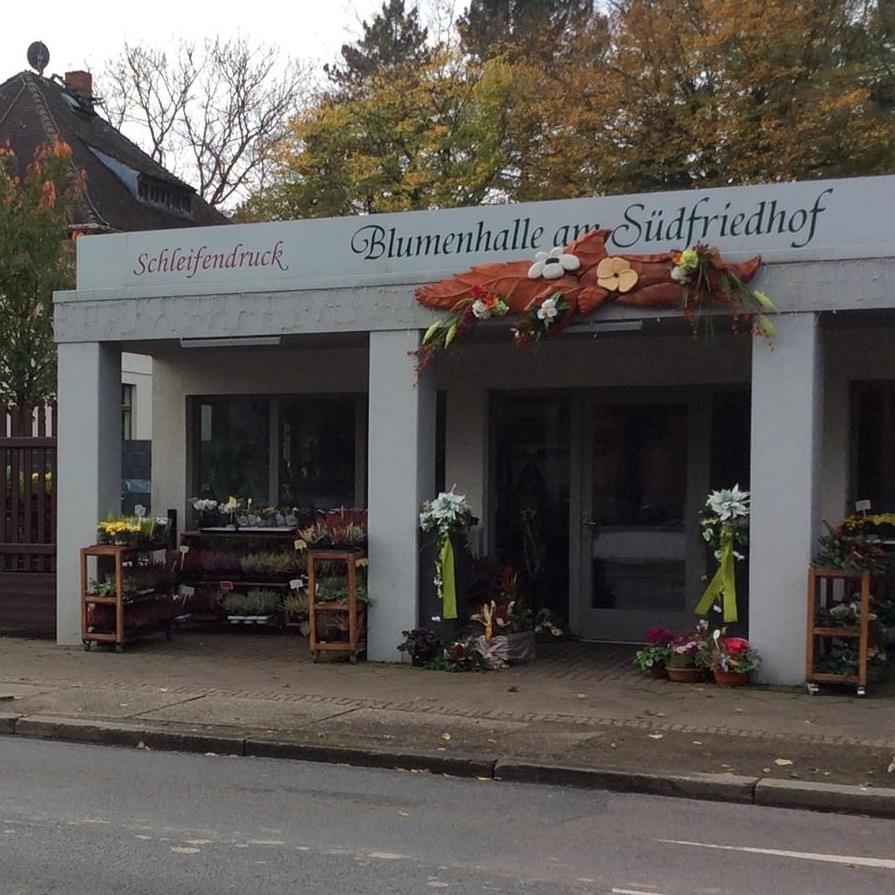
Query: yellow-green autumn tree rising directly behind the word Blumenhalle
413 138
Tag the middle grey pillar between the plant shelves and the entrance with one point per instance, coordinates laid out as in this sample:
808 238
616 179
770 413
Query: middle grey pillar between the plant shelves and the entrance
401 474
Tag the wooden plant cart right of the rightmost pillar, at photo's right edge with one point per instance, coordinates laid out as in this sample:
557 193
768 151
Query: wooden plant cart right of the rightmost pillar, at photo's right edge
822 583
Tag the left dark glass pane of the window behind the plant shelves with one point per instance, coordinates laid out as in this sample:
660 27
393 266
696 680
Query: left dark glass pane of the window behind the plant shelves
233 456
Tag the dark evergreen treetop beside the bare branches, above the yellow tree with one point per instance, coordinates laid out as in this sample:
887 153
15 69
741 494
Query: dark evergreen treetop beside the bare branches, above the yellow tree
393 39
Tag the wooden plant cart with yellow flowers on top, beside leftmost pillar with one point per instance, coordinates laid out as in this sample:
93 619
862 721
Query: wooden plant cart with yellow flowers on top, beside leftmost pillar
119 555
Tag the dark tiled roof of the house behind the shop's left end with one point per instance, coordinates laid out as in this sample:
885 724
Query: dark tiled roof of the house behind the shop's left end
35 110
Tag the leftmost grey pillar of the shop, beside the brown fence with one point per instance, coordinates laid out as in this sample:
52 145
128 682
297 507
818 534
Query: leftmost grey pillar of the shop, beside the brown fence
89 465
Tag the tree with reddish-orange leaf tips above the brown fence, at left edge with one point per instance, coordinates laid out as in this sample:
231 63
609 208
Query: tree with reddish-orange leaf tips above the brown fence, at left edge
35 259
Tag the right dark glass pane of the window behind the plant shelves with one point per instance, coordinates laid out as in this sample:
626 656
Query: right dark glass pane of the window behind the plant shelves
318 451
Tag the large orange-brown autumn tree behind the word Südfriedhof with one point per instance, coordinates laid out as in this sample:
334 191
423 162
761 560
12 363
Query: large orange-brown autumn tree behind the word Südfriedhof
692 93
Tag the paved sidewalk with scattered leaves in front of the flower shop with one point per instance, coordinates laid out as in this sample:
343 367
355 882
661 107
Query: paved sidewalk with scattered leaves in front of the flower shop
579 706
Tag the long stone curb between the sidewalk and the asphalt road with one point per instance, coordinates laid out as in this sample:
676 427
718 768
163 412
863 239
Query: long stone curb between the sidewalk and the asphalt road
826 797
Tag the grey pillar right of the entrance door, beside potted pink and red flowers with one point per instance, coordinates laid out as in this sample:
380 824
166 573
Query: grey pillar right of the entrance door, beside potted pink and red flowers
787 432
